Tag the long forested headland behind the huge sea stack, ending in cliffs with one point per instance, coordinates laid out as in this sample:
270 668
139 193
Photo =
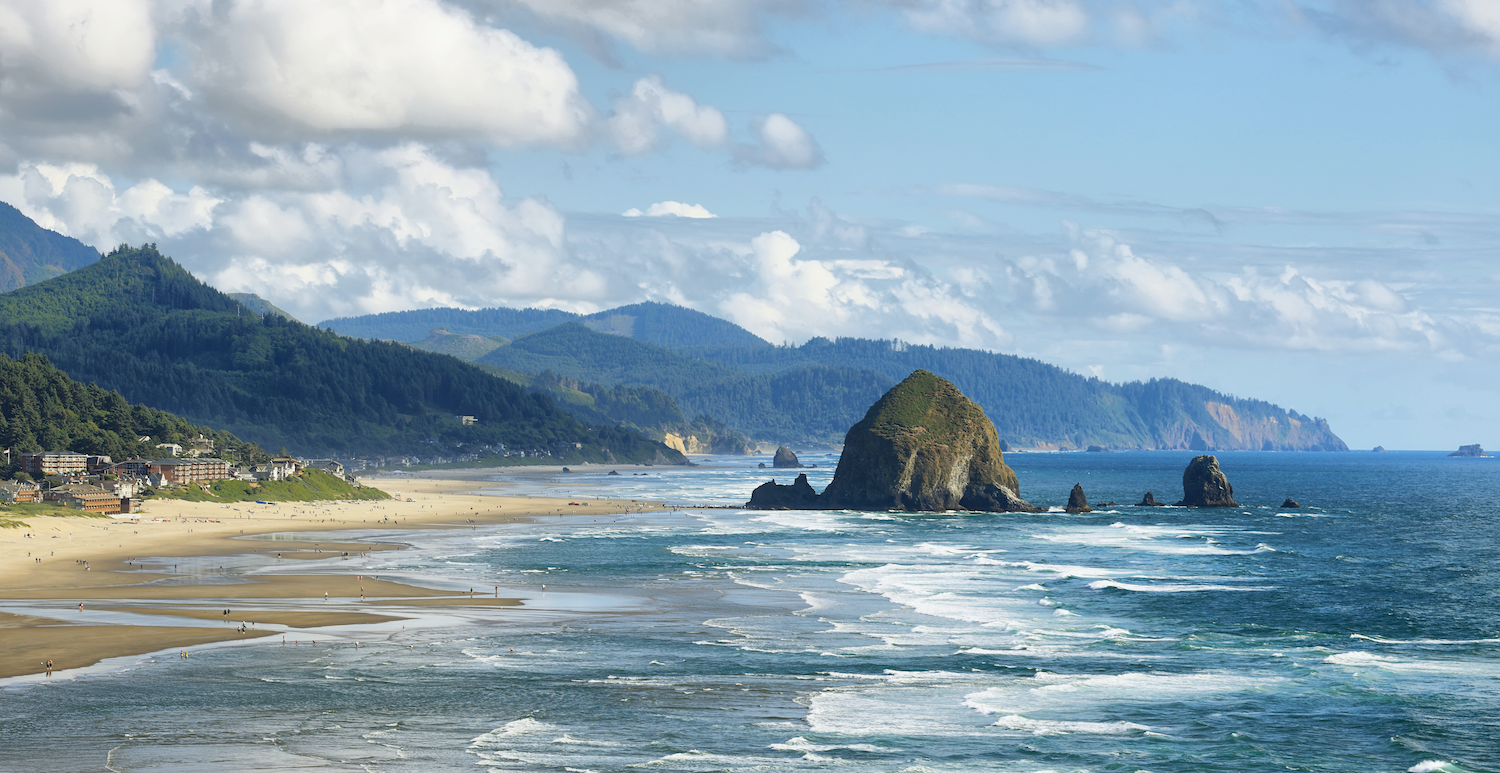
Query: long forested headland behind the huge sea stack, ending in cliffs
818 391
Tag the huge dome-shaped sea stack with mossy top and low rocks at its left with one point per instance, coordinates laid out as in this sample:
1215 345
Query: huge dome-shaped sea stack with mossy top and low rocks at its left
922 448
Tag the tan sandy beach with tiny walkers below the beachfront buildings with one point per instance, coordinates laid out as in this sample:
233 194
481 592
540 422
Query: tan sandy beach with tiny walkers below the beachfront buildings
161 562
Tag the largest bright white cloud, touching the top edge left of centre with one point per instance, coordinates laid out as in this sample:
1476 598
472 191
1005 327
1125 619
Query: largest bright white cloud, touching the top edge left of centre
409 67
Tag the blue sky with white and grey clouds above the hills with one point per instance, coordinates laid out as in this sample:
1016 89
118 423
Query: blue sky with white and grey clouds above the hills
1288 200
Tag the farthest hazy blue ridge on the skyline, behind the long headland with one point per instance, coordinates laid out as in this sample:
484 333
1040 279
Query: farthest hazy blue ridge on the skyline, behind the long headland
653 323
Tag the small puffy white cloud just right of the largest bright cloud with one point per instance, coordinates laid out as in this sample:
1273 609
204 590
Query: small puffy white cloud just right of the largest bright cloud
640 116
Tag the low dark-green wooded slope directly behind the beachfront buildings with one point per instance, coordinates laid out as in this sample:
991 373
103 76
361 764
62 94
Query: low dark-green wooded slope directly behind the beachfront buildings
41 409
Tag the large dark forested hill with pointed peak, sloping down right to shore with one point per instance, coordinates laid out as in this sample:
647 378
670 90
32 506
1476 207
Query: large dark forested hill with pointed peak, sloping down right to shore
139 323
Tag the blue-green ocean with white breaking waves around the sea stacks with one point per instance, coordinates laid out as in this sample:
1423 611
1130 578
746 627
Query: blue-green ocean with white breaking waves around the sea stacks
1358 634
